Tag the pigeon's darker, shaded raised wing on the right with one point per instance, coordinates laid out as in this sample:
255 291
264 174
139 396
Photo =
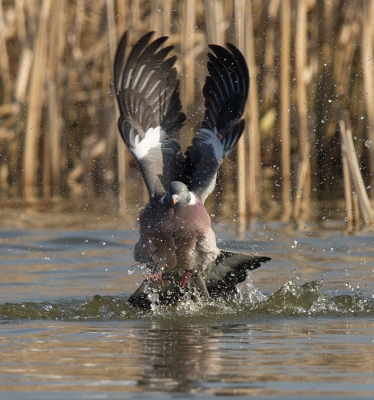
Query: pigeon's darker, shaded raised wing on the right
225 91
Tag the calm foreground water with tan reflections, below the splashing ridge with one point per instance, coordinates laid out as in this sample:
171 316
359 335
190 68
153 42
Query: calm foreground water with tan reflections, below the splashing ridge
274 357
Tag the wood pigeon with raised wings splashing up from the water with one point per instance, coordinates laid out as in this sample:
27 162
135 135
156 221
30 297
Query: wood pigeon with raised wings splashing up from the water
177 242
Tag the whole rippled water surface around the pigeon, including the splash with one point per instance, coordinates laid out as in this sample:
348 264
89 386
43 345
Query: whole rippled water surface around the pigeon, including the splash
304 326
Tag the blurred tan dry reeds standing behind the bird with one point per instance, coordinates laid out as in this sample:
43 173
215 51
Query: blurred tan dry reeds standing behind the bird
311 65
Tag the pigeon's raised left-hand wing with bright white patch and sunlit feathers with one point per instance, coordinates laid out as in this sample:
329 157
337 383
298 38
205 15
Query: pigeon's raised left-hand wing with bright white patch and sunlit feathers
147 91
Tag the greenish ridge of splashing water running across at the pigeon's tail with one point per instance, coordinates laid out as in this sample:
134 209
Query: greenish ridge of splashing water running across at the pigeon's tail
289 299
